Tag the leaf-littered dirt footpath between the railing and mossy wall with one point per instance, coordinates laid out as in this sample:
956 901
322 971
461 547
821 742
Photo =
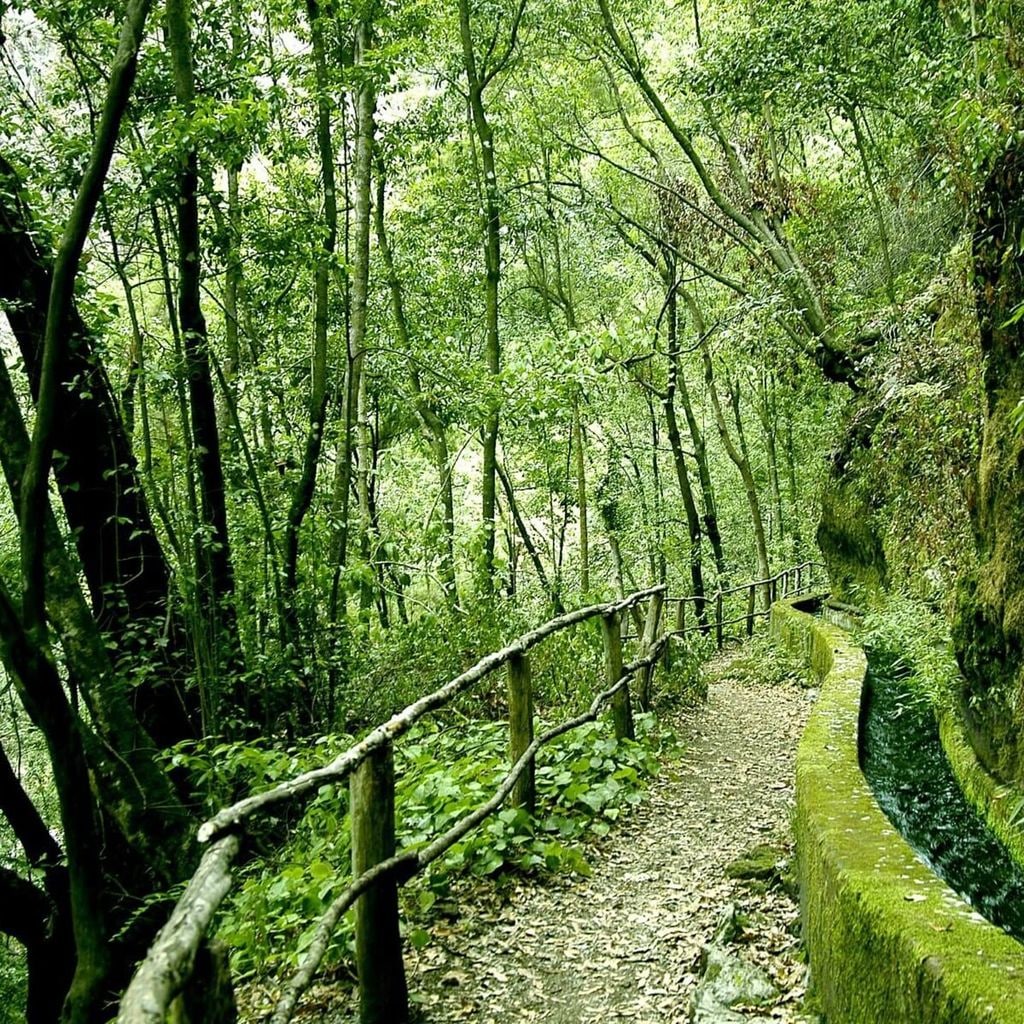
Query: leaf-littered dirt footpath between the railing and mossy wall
624 945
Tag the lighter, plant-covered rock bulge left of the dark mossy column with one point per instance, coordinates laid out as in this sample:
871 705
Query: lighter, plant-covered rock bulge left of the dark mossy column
895 499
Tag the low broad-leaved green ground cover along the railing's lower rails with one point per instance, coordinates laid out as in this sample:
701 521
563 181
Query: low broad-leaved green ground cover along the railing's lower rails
586 780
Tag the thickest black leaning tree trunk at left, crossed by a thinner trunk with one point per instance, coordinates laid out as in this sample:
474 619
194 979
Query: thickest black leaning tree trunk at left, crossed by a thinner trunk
98 479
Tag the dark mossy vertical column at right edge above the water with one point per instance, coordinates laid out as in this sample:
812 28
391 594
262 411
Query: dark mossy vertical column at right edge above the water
990 627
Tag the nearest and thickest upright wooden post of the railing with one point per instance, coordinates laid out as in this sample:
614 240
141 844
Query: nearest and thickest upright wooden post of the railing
383 996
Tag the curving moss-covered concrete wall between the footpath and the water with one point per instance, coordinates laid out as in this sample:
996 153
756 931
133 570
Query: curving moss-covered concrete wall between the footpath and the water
887 940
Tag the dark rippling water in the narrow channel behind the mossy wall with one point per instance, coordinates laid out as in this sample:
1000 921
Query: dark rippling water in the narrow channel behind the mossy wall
904 760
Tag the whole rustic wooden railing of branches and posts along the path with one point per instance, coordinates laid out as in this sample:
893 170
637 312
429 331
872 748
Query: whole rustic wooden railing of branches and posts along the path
378 869
